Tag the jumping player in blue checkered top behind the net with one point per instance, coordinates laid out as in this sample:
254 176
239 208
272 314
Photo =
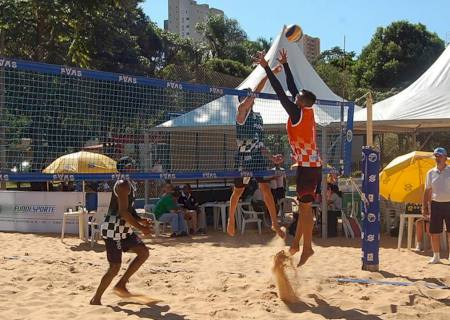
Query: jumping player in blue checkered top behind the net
252 156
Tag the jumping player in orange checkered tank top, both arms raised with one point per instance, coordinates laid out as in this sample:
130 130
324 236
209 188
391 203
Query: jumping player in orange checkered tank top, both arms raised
301 130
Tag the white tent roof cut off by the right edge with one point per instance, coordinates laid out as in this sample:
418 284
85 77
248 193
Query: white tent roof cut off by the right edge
424 104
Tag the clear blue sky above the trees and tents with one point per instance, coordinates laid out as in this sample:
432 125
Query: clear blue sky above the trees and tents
329 20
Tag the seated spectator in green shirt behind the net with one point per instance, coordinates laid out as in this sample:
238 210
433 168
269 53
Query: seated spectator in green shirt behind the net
167 211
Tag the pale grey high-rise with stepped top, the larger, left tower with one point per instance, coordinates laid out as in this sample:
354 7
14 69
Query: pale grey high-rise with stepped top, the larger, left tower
185 14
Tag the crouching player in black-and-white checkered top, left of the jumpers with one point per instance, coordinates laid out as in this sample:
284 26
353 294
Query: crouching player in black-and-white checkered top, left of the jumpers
119 236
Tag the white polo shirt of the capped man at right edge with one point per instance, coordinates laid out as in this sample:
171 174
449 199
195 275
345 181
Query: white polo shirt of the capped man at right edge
439 182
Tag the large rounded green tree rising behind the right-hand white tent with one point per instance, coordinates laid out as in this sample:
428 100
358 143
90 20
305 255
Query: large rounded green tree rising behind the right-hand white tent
397 55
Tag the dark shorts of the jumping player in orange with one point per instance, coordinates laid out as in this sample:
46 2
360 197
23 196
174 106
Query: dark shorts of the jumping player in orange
308 179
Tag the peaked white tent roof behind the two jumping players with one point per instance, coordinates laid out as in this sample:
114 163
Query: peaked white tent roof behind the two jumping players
222 111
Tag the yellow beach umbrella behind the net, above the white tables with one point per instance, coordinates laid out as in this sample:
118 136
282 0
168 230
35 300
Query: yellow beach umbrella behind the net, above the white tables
82 162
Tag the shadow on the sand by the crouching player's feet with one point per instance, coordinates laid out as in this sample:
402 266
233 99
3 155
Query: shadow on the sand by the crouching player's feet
153 311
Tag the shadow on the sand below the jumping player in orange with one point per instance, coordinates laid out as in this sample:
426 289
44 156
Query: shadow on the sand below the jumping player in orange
328 311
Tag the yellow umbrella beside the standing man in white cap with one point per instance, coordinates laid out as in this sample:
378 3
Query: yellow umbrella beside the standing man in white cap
403 179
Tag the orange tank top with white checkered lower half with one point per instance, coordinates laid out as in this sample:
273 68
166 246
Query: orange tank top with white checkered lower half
302 138
